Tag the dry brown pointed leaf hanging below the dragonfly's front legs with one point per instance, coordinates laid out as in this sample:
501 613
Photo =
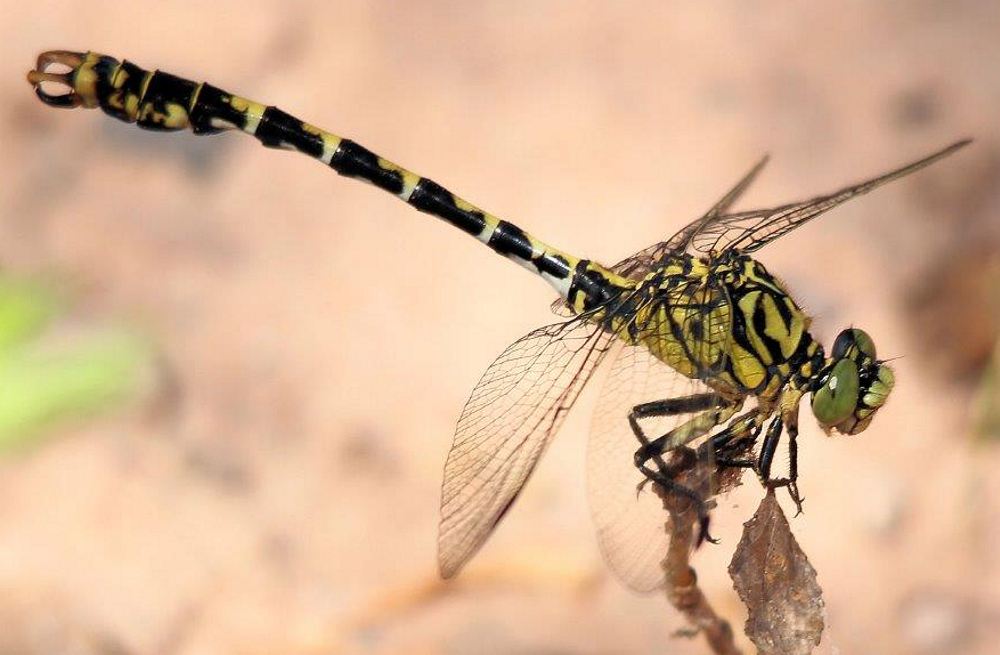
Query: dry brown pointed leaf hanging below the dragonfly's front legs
777 584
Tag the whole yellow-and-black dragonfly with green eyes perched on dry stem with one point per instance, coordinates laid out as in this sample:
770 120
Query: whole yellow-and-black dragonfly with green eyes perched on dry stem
710 355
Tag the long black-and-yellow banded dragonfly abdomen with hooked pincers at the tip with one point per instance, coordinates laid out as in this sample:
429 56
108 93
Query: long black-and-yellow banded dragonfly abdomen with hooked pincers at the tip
160 101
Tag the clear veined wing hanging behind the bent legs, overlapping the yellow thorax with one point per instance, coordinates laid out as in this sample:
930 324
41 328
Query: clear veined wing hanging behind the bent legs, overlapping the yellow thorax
630 524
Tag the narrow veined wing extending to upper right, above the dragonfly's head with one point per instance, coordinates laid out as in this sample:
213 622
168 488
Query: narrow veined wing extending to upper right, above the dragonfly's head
752 230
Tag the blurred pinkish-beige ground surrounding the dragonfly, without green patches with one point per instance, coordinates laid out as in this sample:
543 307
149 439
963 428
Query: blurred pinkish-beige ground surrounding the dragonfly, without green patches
279 493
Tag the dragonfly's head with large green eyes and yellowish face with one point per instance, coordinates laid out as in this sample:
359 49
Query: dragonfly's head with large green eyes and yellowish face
853 385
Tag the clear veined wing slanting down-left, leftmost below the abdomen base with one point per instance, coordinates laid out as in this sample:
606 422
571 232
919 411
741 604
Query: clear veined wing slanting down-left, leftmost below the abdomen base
512 414
